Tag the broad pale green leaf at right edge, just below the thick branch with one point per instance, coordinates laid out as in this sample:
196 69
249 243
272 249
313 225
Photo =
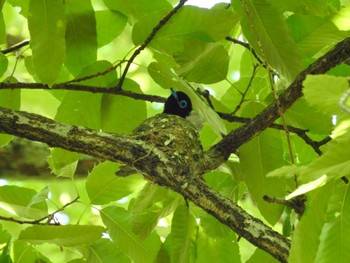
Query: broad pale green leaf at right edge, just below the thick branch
318 93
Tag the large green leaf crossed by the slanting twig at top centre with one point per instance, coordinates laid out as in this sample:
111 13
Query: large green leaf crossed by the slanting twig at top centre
189 22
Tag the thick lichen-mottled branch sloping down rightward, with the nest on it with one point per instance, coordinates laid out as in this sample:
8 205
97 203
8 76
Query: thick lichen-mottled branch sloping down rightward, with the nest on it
171 156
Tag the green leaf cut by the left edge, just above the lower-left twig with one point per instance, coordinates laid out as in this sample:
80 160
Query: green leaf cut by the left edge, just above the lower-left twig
21 201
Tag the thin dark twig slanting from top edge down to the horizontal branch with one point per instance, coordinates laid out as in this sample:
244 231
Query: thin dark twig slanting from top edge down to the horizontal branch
148 40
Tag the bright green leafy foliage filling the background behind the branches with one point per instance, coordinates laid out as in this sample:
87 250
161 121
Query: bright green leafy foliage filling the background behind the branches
245 54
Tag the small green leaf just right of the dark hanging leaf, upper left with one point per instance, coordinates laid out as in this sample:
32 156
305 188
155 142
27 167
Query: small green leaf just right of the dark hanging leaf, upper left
105 18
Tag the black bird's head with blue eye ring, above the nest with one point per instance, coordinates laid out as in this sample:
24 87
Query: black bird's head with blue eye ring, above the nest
178 103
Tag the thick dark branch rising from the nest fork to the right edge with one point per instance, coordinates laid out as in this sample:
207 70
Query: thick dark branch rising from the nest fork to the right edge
243 134
